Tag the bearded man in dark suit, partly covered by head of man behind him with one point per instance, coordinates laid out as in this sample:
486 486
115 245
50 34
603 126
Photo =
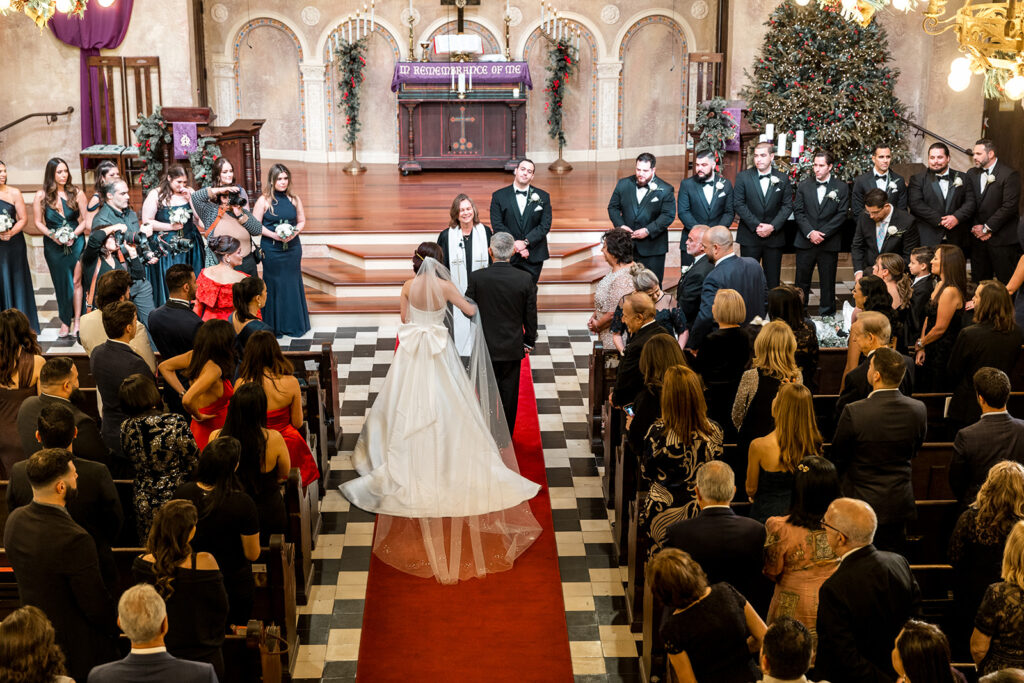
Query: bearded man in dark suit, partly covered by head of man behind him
59 382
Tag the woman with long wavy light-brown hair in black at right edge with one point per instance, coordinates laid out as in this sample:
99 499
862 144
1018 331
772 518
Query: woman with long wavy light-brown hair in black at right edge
978 540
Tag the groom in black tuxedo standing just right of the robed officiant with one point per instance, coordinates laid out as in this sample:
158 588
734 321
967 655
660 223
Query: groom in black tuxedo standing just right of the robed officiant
524 212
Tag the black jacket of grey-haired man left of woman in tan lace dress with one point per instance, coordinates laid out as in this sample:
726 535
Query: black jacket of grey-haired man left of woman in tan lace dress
730 548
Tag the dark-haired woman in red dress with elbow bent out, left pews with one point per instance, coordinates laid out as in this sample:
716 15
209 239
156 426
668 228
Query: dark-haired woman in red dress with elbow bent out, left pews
209 368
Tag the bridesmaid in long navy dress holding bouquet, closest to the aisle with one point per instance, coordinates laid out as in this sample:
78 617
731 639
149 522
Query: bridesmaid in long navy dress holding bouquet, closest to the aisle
283 219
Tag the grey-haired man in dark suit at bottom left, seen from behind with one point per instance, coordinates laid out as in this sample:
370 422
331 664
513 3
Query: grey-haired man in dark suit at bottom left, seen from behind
143 616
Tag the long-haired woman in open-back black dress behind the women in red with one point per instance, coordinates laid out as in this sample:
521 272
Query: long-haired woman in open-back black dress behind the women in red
265 462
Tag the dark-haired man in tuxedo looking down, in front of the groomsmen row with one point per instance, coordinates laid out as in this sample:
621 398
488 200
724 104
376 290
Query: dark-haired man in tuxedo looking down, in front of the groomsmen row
882 229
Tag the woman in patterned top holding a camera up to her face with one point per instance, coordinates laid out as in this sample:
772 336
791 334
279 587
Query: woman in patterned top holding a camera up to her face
223 211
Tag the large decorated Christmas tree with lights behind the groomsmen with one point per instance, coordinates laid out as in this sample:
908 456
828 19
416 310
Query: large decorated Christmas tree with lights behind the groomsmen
828 76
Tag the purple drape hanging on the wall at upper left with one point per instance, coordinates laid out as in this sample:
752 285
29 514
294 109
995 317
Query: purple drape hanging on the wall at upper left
102 28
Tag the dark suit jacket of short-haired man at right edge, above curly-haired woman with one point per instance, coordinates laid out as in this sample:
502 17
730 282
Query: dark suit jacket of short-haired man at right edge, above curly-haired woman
992 440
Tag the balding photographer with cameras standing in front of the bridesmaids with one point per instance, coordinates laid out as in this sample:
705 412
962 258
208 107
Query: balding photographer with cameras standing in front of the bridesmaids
118 242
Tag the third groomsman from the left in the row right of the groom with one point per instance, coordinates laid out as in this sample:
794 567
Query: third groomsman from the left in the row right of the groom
763 200
